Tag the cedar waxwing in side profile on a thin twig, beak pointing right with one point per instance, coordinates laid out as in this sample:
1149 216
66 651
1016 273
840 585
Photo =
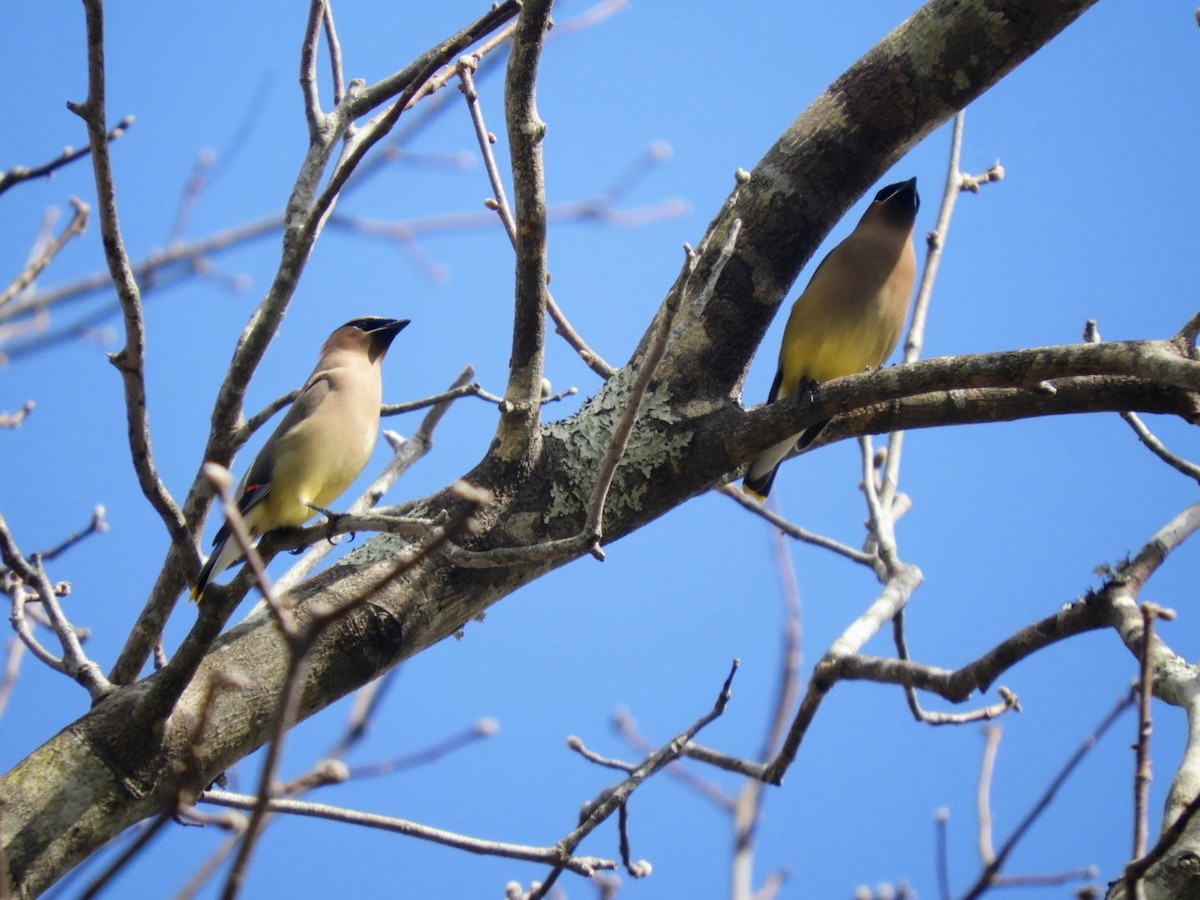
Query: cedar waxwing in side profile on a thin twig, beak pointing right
322 445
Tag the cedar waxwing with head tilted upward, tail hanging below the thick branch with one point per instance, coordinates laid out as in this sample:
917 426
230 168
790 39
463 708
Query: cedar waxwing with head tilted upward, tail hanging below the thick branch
849 317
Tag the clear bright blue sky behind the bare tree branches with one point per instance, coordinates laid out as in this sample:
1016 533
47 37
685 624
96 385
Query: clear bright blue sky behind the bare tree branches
1096 219
